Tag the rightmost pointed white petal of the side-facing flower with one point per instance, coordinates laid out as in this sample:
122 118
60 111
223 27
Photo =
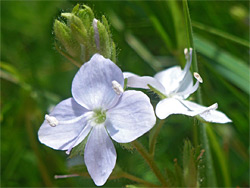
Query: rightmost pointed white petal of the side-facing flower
213 116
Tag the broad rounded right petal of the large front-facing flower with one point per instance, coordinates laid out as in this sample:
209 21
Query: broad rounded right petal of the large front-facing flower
131 117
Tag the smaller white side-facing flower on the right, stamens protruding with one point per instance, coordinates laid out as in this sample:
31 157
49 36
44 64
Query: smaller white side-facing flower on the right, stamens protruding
174 85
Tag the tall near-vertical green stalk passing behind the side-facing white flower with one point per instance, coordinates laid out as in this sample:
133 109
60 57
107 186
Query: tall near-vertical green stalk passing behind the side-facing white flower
208 173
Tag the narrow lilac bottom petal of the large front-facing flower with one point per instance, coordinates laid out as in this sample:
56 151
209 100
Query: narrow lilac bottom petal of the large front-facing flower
99 155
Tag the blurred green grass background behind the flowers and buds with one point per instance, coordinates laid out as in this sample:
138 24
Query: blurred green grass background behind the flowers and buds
150 36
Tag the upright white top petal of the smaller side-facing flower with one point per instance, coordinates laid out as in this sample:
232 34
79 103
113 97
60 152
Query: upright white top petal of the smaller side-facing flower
171 79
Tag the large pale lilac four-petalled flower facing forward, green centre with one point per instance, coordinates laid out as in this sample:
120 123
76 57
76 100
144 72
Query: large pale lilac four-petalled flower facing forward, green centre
99 109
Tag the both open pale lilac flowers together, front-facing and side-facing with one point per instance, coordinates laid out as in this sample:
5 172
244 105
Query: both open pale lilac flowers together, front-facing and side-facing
100 109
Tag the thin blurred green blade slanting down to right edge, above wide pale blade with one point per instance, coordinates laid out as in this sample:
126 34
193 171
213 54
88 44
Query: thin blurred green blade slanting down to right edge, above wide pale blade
220 33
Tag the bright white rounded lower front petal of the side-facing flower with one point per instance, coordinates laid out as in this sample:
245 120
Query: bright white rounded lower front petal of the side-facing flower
170 106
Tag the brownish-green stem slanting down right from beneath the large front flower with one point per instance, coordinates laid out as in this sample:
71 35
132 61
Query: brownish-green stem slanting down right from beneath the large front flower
148 158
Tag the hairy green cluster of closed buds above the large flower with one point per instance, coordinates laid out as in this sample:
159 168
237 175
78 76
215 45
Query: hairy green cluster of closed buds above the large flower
81 35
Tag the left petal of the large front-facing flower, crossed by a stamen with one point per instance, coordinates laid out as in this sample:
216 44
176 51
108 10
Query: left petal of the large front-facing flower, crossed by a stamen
63 135
